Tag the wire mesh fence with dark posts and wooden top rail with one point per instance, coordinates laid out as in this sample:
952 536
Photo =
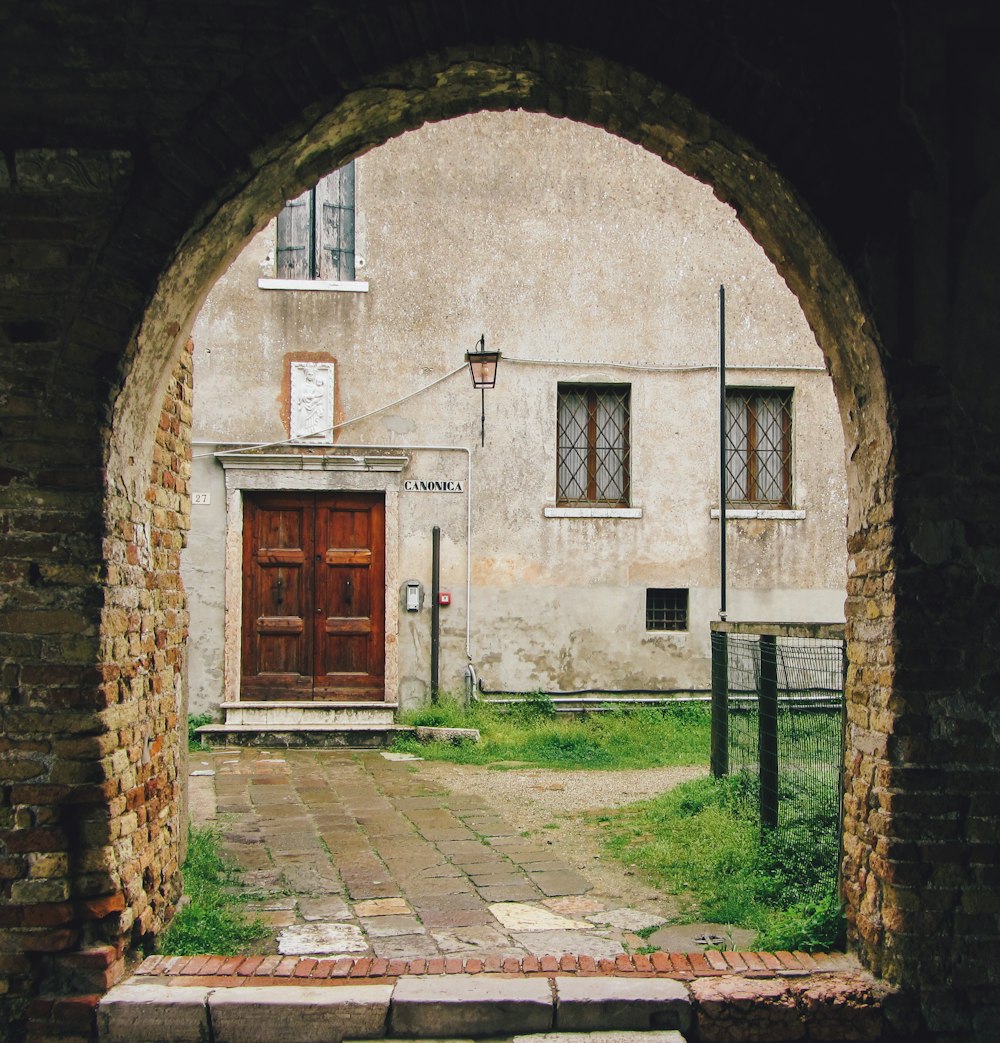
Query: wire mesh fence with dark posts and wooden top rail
778 715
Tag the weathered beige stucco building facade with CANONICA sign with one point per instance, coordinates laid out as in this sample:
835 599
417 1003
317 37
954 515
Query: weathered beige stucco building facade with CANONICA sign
580 545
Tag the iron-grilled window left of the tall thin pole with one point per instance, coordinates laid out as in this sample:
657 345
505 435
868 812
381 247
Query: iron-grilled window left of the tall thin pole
593 446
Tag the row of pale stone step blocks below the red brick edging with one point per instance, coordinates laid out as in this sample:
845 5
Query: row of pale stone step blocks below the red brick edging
447 1007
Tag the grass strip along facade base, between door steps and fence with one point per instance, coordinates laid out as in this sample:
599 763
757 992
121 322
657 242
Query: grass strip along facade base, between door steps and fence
532 734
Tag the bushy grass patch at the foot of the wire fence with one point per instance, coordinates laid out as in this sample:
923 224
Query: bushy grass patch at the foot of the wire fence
702 843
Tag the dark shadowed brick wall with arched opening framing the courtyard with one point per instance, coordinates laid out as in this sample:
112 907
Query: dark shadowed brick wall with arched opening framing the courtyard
134 168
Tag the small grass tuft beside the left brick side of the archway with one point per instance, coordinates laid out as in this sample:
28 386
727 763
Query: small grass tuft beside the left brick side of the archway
213 921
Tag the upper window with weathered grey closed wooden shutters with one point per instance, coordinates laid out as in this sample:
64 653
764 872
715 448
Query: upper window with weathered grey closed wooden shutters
316 232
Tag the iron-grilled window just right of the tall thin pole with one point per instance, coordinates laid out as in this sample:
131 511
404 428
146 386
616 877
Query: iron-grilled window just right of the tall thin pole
759 447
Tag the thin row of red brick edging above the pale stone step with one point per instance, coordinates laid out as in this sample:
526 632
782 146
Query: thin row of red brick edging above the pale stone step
681 966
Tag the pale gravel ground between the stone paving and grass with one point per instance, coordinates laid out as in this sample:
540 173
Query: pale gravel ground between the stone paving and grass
532 799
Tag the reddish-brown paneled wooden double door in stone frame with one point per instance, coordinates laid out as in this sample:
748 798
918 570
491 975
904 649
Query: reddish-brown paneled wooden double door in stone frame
314 597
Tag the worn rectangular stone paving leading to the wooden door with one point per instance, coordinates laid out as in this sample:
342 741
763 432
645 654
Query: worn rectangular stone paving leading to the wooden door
362 857
